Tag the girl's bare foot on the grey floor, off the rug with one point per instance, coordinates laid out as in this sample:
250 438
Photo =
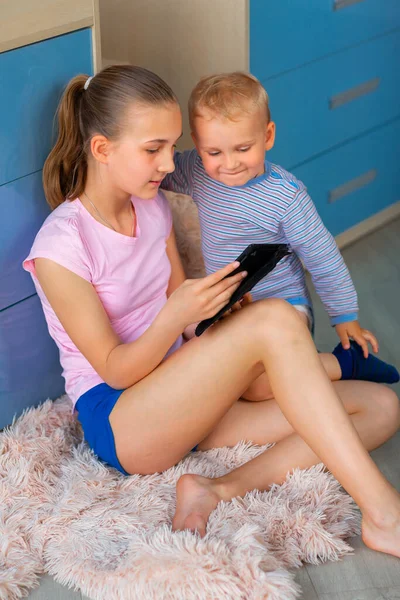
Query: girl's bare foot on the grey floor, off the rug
382 534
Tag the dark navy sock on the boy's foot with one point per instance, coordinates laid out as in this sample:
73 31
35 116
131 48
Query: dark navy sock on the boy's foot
355 366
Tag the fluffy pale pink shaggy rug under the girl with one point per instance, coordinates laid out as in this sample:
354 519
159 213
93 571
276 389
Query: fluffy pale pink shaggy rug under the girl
65 513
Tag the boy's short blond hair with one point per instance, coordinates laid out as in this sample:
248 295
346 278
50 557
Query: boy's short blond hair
228 94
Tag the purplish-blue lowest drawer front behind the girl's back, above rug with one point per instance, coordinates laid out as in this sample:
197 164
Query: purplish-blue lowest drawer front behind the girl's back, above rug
30 370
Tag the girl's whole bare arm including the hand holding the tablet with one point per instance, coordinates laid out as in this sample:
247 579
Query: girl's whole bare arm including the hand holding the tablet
78 307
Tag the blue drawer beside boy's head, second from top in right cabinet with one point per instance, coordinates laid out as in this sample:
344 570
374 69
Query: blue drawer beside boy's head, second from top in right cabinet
335 99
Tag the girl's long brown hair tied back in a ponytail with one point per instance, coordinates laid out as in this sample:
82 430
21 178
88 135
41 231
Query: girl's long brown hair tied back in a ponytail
91 106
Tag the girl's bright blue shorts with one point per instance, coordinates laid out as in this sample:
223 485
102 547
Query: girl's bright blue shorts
94 408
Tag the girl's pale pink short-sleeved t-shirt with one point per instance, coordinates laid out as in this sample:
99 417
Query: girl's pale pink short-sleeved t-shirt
129 274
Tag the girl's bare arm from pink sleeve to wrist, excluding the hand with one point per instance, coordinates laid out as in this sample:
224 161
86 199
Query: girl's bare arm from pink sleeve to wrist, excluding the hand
78 307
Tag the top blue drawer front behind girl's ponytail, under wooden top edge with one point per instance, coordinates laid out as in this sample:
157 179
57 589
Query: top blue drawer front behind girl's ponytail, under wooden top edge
32 79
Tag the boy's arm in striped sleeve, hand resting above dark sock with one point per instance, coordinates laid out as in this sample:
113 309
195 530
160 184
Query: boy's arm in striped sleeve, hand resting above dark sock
309 238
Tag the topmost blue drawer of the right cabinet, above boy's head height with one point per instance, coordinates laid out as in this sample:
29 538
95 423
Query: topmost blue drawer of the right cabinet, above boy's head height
287 33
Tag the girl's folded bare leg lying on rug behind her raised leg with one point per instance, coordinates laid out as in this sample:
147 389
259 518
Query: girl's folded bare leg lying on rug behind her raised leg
374 410
